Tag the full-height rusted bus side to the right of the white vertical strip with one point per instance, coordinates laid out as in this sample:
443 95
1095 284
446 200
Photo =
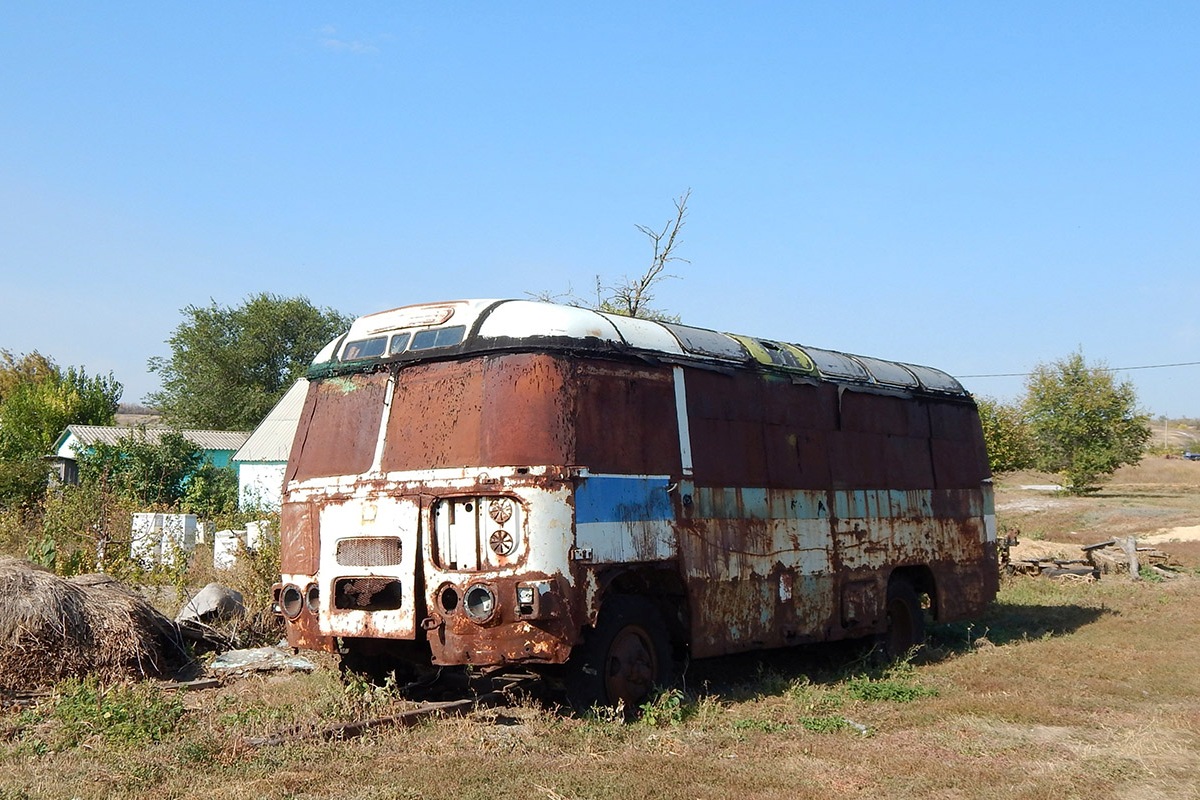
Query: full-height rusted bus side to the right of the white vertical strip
808 497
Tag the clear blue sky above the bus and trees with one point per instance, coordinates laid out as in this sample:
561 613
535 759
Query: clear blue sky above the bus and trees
979 188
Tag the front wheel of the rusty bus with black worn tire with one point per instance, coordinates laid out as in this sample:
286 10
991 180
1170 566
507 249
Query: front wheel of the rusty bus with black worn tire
623 659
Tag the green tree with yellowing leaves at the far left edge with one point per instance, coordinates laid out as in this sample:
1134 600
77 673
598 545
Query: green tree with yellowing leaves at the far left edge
39 401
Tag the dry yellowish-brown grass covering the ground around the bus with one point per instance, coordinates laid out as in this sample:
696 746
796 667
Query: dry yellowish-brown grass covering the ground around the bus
1060 691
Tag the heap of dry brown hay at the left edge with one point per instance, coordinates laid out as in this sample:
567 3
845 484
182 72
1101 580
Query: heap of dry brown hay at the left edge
52 629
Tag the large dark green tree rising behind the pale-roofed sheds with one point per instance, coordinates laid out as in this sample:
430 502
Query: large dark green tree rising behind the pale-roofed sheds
230 366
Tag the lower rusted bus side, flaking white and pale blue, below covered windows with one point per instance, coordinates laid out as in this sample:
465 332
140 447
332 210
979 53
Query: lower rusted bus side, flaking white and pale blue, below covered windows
803 567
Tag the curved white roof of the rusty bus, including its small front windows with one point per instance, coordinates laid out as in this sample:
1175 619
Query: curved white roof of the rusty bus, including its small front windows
458 328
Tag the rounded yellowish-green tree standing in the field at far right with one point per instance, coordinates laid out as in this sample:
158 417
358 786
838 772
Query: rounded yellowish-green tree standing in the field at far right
1085 424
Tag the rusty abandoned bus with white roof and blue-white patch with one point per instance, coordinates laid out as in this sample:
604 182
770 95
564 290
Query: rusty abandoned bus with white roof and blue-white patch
518 484
